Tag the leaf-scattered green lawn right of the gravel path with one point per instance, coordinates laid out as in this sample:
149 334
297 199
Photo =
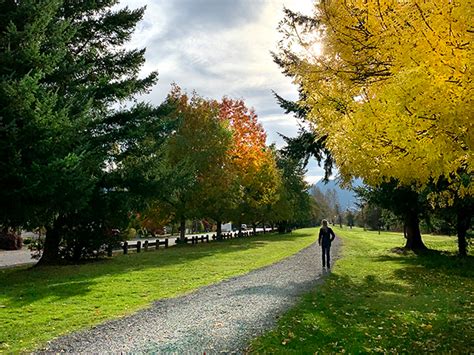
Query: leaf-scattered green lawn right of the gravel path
379 301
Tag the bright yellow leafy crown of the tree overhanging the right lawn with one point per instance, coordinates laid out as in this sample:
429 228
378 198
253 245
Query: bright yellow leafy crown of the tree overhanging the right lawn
388 84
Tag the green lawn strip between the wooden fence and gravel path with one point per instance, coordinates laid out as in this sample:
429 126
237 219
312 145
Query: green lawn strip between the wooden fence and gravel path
40 304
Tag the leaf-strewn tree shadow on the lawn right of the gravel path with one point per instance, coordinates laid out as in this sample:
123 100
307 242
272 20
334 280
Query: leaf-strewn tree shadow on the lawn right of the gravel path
409 313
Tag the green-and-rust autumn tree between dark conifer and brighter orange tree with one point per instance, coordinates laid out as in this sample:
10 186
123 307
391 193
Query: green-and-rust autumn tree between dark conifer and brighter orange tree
197 148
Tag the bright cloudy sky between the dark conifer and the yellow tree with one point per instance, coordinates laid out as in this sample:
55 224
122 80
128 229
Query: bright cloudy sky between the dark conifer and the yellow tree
221 48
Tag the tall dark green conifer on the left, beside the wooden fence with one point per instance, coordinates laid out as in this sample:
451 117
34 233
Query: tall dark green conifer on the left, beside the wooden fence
62 69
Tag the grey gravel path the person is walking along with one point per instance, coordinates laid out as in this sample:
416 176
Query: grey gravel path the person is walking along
222 317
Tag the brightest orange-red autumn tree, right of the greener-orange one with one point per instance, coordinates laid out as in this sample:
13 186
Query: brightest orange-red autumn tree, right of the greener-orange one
255 169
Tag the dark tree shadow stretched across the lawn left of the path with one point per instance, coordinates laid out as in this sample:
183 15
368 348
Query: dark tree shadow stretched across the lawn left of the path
23 286
